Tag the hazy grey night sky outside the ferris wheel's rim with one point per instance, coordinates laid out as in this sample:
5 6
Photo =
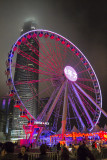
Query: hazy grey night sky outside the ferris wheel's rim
83 22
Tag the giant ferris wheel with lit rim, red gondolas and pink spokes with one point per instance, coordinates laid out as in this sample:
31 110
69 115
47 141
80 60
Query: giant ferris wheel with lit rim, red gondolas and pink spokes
56 78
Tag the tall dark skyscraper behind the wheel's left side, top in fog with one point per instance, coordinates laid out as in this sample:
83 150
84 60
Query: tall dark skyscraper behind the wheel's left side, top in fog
24 91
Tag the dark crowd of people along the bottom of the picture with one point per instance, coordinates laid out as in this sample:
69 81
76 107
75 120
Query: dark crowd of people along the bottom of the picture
63 152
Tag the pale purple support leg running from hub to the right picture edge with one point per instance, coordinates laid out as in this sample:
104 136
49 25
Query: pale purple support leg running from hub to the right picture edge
98 107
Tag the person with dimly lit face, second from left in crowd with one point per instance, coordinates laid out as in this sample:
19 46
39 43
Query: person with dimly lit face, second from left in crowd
23 155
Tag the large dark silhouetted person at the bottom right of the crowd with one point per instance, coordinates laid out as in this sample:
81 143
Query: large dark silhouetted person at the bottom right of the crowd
83 153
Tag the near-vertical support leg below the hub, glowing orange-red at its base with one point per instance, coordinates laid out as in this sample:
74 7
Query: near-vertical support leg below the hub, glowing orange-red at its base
64 116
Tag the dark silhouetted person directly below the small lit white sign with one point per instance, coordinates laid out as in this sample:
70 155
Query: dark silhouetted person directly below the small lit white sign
43 155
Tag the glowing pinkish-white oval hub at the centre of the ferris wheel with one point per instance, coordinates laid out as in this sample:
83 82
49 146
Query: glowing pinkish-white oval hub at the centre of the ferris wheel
70 73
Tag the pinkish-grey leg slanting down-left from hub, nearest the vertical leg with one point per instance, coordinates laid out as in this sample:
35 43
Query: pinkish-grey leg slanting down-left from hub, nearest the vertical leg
52 108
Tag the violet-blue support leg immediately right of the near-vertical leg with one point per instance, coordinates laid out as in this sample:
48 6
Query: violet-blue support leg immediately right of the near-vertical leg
77 113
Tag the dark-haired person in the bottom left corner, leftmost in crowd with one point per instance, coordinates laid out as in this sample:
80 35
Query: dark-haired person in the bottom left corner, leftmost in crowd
7 152
